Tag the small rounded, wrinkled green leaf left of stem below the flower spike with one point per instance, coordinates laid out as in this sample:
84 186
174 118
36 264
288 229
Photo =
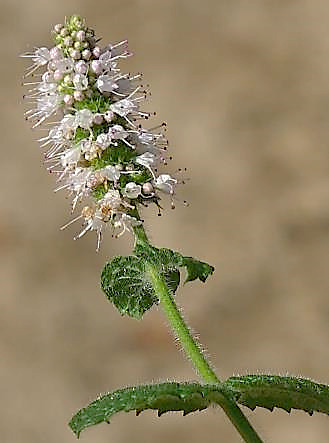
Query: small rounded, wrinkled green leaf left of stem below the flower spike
124 282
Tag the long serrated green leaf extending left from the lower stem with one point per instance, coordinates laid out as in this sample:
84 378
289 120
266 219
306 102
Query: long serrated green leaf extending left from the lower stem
163 397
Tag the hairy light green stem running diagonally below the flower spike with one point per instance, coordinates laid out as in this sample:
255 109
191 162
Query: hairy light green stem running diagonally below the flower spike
192 349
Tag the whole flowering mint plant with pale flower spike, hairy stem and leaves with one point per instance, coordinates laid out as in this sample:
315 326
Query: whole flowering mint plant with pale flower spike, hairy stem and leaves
100 152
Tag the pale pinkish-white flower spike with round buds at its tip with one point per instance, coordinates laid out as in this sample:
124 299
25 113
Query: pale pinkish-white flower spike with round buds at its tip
98 149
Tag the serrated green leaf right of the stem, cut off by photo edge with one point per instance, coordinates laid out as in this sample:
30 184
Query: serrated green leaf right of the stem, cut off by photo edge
270 391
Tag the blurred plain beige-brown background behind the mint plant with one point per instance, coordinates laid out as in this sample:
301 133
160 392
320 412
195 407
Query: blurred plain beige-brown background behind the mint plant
243 86
